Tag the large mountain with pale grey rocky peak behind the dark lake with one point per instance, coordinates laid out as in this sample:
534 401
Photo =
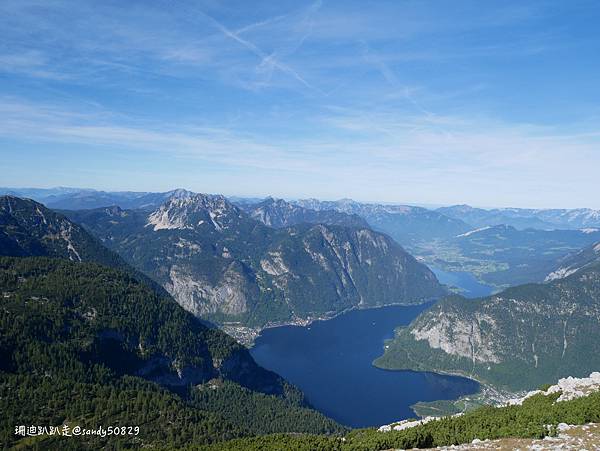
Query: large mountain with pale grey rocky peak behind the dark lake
221 264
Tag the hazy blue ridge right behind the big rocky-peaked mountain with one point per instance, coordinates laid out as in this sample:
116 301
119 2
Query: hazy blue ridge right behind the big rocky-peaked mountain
406 224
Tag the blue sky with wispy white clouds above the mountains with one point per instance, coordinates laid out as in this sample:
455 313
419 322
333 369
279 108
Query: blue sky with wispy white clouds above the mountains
490 103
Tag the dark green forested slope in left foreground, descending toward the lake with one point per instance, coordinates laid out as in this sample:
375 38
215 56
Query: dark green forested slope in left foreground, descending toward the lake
88 345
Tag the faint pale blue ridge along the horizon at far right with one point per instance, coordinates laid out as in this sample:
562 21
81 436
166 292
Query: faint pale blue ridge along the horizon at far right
522 218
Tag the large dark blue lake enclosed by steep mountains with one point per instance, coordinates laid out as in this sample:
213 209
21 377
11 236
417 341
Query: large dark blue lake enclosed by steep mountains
331 362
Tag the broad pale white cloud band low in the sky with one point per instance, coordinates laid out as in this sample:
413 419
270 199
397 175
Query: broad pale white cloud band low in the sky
413 154
